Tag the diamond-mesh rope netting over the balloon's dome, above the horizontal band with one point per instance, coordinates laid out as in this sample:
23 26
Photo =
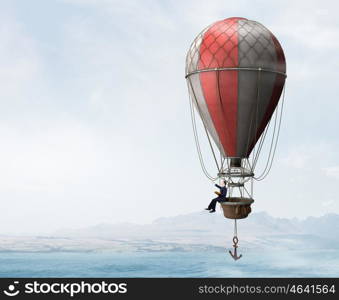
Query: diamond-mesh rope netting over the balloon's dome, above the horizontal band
229 44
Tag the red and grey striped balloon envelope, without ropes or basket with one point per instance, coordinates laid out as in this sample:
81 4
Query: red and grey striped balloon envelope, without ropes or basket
236 72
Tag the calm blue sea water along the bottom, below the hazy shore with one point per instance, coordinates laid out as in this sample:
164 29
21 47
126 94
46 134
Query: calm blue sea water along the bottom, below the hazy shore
319 263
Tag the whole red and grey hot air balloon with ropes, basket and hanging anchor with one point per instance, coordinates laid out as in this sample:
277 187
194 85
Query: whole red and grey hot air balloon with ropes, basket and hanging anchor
235 72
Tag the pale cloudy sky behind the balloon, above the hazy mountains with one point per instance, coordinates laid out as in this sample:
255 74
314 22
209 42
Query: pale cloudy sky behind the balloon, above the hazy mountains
94 114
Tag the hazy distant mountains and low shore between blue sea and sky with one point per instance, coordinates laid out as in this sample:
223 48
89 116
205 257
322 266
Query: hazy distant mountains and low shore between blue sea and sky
198 231
